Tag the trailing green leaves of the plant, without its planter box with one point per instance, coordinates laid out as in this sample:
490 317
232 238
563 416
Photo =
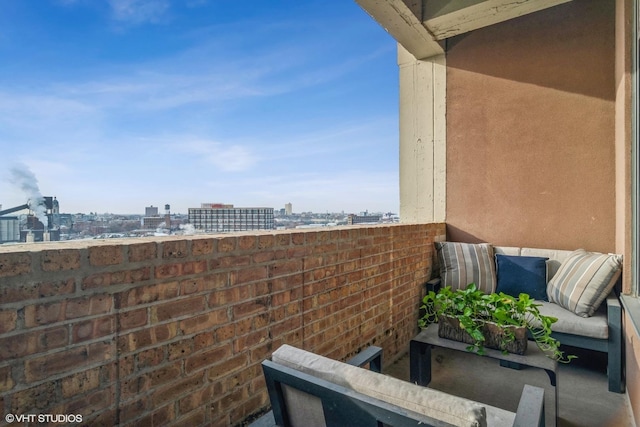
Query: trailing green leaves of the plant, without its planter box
473 309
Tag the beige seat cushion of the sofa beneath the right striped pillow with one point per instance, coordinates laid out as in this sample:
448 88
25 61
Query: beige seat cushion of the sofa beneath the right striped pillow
569 323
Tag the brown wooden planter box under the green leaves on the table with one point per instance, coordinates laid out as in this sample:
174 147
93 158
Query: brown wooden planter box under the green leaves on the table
449 327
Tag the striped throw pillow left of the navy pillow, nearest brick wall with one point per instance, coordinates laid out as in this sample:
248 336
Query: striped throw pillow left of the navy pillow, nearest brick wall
465 263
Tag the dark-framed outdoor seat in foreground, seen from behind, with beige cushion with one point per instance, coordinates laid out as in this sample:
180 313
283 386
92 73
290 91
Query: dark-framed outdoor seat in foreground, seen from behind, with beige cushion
310 390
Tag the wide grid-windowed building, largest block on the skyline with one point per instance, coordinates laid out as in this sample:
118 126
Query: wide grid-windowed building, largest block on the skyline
210 217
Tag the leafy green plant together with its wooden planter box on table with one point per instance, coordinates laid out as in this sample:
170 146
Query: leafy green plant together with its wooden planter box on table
494 320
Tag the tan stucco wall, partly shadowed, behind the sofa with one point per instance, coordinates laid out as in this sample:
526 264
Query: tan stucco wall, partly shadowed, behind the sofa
531 130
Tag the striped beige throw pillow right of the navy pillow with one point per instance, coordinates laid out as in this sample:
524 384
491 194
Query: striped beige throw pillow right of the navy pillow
584 280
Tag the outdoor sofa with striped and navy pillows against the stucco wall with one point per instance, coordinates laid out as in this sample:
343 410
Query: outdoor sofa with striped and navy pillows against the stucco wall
579 288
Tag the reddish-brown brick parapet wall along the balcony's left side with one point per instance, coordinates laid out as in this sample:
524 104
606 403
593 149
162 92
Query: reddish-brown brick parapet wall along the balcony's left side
173 331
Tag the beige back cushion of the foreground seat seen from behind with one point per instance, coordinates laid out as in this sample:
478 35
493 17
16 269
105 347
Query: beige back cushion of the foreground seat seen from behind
432 403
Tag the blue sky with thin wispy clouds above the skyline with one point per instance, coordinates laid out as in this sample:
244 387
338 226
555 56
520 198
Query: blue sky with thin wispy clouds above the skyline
114 105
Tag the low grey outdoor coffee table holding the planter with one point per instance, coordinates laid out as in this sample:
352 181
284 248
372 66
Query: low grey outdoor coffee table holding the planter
420 358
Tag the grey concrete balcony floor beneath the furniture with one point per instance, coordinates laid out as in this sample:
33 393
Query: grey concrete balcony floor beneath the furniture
584 400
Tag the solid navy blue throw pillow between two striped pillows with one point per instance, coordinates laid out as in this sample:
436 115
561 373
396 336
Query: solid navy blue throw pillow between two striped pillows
522 274
